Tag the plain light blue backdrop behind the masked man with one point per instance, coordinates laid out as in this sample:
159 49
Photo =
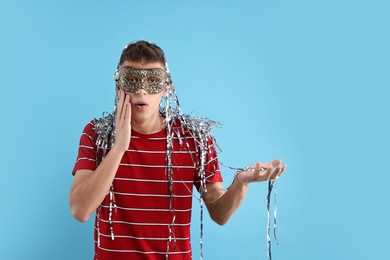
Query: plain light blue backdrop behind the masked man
305 81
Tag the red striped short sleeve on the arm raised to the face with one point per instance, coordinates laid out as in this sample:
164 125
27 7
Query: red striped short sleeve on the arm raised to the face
86 158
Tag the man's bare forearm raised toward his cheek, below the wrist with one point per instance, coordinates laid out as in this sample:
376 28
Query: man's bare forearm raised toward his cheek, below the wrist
90 188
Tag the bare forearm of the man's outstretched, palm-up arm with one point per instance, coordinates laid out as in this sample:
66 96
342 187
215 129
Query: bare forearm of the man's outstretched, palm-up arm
222 208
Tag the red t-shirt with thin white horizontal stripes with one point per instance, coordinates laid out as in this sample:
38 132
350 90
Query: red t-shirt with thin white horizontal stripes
142 220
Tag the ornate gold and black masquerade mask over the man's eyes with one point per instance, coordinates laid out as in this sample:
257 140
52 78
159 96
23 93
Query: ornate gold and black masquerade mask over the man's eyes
131 79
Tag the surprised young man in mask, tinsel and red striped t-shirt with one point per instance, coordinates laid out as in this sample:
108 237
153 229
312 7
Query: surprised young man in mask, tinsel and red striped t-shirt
137 167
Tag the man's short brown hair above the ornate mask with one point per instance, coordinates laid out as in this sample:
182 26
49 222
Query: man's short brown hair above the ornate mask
142 51
